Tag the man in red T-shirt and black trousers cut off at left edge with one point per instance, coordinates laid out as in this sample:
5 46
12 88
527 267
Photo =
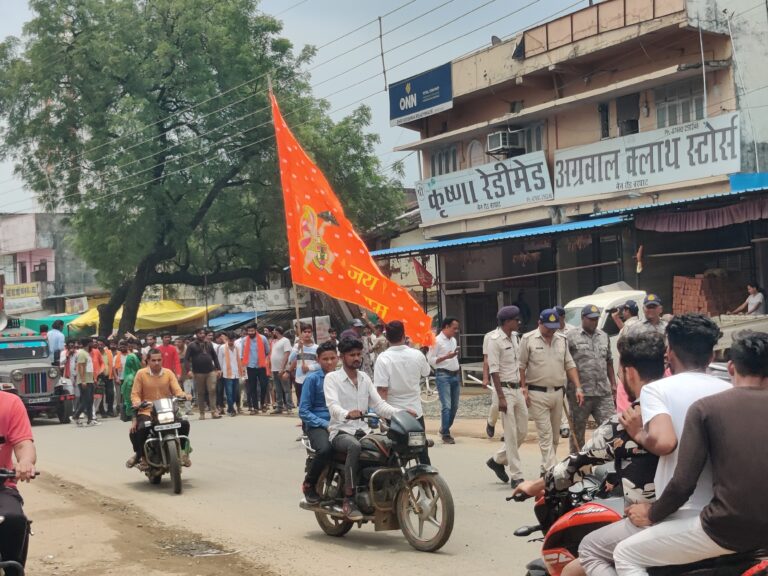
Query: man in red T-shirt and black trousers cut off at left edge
15 441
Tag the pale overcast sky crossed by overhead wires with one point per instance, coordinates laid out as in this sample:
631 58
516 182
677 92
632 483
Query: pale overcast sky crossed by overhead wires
417 36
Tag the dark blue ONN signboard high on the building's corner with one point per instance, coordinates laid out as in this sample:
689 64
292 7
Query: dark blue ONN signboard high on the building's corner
420 96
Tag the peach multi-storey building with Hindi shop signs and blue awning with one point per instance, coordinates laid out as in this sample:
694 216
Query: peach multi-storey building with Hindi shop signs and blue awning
623 141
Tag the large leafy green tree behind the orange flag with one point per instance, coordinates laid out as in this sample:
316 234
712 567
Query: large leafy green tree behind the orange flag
149 120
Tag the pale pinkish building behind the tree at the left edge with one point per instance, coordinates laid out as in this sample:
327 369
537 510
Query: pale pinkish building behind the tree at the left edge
39 270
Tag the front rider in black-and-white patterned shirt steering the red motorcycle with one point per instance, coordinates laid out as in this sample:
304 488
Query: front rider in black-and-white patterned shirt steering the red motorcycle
641 362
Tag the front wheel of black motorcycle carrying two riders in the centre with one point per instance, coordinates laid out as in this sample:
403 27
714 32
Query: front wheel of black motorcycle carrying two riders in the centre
435 514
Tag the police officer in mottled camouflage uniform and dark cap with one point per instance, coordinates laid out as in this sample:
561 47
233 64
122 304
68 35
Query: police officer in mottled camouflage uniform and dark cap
591 351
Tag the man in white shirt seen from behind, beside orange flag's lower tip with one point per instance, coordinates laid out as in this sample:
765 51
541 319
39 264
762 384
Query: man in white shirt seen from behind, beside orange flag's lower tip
398 374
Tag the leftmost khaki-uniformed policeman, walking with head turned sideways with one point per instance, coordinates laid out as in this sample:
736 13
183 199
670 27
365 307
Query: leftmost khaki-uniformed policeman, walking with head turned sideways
504 371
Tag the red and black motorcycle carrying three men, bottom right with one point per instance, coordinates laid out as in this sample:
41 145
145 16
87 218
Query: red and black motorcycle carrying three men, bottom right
565 518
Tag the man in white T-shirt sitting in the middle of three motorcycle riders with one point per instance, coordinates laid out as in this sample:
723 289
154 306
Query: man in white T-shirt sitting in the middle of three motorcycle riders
657 425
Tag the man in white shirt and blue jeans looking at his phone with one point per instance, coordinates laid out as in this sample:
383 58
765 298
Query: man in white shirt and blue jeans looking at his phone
444 358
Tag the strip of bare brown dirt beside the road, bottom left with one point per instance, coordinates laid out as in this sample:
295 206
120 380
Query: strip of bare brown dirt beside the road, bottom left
78 531
